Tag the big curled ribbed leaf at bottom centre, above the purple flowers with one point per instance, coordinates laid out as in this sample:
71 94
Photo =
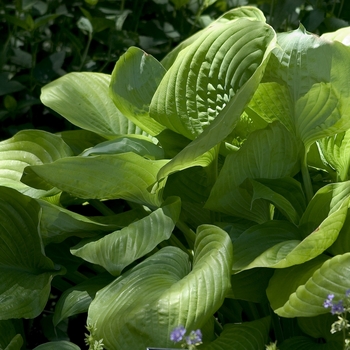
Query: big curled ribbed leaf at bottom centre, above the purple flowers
141 307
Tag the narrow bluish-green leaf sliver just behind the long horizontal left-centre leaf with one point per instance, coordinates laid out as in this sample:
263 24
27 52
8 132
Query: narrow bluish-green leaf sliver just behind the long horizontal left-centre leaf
138 144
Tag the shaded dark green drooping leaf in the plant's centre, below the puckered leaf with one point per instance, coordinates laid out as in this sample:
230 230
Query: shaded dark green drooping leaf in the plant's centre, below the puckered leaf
269 153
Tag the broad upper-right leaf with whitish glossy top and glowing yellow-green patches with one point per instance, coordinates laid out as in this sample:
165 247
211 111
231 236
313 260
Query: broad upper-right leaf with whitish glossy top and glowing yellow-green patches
306 93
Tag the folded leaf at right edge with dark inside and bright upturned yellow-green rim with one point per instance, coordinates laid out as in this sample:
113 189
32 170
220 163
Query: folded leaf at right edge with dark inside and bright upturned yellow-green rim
280 244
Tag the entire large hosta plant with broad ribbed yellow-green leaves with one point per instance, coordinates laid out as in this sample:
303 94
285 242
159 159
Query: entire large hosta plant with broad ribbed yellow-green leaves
208 190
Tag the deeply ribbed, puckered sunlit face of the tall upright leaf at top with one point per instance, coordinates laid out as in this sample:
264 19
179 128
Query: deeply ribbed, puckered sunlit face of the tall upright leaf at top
207 74
